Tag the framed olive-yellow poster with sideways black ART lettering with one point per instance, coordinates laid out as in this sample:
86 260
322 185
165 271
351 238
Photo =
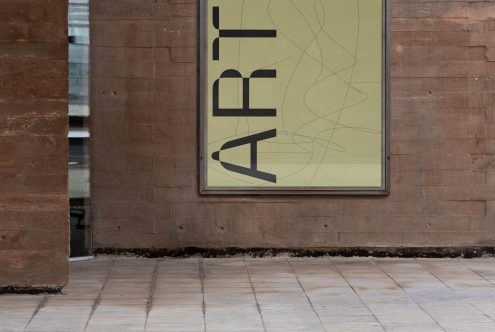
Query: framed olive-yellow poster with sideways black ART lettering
294 96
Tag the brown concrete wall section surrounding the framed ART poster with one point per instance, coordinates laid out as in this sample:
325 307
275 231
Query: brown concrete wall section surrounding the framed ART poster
145 191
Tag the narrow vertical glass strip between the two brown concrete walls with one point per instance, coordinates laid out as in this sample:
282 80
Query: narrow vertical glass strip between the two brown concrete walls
79 134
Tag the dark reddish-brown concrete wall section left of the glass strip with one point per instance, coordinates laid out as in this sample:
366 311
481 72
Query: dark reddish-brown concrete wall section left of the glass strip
33 143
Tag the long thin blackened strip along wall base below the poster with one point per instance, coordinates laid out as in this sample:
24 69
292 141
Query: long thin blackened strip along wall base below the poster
395 252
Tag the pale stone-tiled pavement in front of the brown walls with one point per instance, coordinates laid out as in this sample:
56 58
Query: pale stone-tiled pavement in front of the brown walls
275 294
